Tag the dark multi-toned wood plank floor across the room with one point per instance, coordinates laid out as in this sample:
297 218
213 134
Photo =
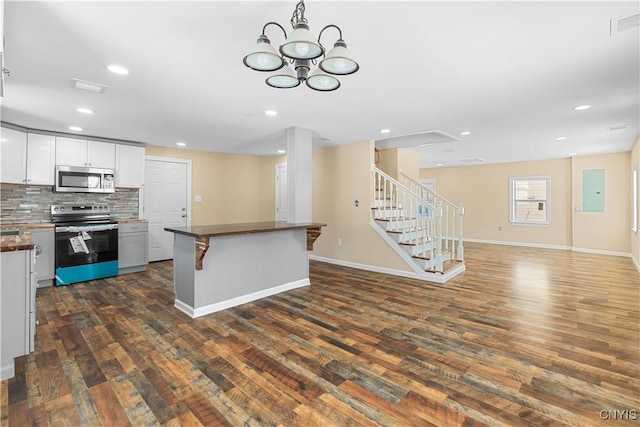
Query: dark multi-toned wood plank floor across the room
523 337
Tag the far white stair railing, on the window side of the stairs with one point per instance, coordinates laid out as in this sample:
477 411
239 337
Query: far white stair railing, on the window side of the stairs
452 216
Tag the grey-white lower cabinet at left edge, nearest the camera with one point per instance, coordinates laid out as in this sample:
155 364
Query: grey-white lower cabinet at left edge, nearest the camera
18 308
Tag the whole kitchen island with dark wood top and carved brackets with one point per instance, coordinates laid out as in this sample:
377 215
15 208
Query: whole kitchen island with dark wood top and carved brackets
221 266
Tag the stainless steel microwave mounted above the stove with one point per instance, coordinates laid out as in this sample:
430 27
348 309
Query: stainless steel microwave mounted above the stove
74 179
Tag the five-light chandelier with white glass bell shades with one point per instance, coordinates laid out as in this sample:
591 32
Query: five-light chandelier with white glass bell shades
301 51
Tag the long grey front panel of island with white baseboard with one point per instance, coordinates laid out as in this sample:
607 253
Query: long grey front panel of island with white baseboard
241 268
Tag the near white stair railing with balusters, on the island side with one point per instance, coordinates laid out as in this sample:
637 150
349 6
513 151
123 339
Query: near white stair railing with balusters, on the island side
414 218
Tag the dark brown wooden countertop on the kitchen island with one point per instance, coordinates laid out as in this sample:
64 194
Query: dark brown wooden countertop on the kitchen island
200 231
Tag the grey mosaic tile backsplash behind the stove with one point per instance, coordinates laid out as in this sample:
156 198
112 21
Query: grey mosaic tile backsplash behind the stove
21 204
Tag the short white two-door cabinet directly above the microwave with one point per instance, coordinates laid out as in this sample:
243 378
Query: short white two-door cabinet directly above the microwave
80 152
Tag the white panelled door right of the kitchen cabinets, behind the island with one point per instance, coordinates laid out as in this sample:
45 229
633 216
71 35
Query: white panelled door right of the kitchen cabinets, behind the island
165 204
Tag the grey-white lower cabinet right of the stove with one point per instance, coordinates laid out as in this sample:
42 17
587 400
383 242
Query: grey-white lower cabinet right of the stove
133 246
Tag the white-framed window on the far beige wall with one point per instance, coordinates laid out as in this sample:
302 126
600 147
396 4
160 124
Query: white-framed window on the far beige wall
529 200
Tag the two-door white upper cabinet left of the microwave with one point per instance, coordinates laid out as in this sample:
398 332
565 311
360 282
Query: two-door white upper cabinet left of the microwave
27 158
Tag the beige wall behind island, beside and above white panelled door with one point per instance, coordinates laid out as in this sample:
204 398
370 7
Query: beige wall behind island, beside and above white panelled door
229 185
